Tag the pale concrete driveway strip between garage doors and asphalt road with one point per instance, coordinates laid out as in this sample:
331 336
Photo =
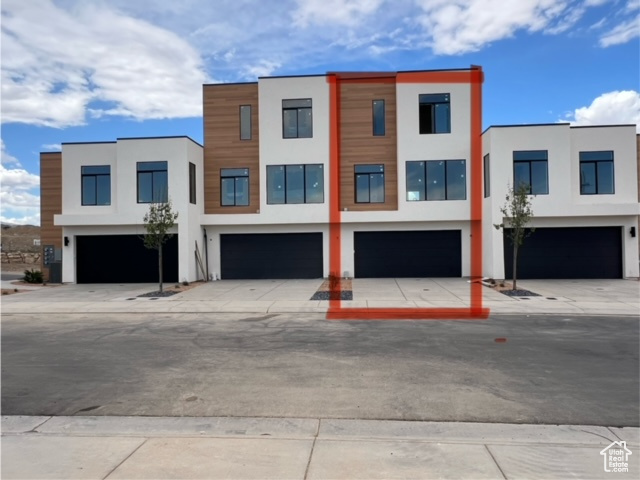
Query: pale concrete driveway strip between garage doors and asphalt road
571 297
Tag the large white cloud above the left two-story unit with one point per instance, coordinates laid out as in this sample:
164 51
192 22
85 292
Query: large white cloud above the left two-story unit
90 55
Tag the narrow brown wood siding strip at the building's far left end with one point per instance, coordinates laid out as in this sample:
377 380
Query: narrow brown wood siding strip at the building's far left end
50 203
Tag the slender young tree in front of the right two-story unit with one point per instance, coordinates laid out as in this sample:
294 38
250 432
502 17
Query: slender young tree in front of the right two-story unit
519 212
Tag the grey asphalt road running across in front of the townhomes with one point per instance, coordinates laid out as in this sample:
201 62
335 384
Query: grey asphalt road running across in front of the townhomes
555 370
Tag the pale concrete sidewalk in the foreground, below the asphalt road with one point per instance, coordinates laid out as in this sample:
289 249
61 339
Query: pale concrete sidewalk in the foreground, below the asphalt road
293 448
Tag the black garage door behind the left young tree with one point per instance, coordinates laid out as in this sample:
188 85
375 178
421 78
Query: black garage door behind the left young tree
123 259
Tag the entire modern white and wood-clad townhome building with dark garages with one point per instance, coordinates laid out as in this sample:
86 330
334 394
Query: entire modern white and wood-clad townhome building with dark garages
254 202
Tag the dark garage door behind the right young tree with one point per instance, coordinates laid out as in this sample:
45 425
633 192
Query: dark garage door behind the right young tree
585 252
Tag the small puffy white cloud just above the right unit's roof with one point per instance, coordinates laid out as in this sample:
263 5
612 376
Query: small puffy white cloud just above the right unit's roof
618 107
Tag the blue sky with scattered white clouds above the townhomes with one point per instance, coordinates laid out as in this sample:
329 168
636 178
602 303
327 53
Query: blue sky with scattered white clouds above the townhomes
92 70
